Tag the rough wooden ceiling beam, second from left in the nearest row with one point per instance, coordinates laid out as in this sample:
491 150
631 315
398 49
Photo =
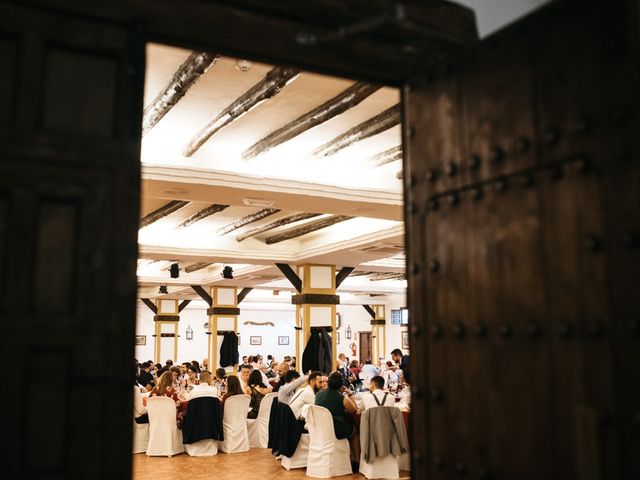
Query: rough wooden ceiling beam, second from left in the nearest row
268 87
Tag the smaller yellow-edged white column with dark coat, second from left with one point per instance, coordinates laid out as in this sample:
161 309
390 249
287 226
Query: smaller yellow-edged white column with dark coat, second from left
223 316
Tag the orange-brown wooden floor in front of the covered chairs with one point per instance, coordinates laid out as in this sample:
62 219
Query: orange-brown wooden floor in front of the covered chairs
256 464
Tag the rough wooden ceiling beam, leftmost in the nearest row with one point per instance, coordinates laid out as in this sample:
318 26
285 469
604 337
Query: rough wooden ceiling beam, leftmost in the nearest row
185 77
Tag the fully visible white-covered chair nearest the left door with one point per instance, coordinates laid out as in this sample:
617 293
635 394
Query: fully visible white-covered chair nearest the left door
164 437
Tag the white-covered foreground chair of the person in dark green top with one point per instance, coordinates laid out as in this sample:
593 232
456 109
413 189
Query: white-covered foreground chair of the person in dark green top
328 456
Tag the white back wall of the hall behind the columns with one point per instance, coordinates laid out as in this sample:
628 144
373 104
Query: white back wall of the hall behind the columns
280 314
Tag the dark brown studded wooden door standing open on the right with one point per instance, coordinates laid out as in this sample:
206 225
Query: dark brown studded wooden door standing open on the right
523 188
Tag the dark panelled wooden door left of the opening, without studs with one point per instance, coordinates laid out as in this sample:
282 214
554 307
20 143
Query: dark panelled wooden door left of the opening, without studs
70 94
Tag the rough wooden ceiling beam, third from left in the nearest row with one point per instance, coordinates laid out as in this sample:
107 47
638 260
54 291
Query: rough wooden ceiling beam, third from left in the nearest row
342 102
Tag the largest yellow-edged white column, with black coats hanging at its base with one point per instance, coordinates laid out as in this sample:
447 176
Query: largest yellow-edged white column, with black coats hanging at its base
316 304
